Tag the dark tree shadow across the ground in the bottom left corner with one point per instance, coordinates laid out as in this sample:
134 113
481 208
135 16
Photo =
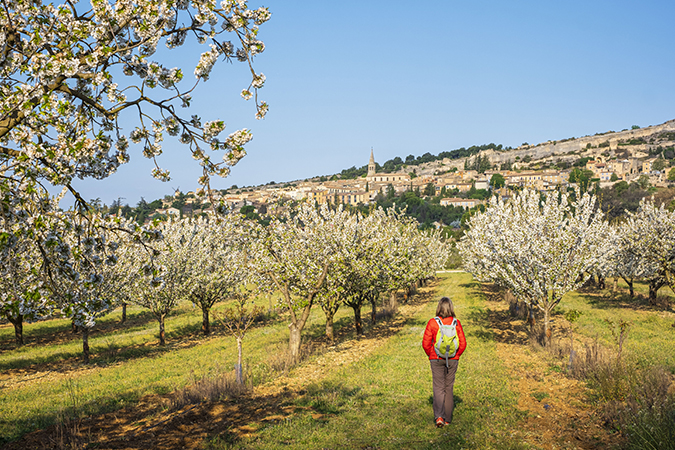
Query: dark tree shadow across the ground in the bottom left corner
151 423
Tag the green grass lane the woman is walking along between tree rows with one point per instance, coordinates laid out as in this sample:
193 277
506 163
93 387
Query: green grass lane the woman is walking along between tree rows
383 401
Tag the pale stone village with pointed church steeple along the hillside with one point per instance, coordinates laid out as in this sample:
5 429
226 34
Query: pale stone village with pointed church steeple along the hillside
605 158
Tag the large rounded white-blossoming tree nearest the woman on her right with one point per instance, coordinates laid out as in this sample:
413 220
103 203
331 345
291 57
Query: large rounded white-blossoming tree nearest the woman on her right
538 246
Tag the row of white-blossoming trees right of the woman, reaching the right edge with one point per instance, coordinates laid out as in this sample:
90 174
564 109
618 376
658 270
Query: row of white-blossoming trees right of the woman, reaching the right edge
541 246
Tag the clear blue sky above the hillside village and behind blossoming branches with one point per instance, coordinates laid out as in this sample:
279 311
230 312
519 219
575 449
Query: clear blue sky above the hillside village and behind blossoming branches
426 76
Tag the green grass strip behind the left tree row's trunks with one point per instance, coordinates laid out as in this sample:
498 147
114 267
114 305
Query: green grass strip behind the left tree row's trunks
126 363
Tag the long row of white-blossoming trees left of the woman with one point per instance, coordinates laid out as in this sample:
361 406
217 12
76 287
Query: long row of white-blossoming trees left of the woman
307 255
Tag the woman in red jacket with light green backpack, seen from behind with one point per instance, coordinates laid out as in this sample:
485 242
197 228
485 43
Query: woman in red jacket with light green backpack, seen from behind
444 366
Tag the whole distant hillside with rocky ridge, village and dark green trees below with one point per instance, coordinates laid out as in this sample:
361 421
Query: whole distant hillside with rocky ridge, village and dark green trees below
442 183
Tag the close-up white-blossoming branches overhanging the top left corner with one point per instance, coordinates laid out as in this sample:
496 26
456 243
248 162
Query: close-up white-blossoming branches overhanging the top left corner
73 74
